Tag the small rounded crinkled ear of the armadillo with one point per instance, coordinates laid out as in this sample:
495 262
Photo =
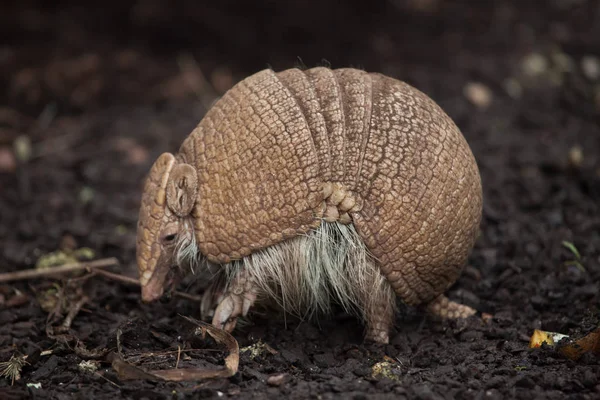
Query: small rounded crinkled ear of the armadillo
182 188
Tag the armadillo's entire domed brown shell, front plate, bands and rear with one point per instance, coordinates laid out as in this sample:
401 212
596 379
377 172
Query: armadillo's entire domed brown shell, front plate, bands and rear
265 149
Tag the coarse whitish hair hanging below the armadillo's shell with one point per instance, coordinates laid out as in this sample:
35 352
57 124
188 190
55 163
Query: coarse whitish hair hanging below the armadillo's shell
305 275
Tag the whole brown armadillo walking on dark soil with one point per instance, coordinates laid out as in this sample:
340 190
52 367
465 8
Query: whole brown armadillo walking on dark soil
315 188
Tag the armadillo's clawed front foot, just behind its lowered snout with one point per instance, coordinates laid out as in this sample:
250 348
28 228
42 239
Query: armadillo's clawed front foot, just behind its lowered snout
236 301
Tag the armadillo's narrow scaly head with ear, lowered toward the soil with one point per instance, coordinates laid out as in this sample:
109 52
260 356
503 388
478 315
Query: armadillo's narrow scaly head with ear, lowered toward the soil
164 223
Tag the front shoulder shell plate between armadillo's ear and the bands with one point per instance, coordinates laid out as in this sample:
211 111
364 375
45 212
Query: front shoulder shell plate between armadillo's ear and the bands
258 171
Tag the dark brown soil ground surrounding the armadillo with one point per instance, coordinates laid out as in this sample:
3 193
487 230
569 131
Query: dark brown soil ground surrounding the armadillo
102 90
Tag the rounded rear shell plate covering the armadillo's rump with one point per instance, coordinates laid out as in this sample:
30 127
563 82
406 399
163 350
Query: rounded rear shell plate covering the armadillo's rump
422 192
